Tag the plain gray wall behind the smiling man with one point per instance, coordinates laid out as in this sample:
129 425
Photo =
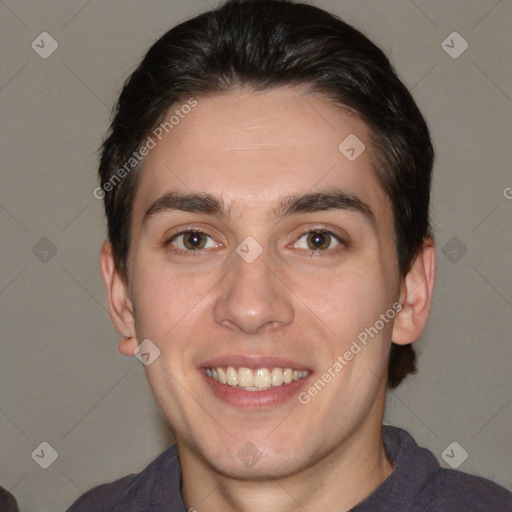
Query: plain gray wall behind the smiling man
62 380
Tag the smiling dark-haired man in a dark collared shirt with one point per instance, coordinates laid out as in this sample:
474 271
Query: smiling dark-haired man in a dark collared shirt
266 181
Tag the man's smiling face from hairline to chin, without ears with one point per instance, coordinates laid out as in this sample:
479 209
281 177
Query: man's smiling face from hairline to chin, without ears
259 254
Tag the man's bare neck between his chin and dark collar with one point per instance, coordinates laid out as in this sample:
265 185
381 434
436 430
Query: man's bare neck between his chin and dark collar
346 476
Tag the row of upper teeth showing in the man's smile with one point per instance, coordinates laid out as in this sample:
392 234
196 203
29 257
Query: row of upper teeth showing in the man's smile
255 379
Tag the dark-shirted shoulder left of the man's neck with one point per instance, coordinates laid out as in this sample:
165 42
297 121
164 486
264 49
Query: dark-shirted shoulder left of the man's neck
135 492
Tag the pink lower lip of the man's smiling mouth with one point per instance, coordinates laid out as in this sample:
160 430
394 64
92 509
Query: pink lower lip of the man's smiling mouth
255 399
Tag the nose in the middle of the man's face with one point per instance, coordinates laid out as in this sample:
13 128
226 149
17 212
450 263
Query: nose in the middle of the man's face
252 299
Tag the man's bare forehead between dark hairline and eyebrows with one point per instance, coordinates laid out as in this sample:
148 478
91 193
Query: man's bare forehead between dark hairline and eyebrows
252 148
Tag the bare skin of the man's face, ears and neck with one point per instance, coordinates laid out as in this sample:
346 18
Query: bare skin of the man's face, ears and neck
251 150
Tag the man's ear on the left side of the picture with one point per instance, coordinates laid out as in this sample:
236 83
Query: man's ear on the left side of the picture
119 302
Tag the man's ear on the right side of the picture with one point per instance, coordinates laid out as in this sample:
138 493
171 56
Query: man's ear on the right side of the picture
416 296
